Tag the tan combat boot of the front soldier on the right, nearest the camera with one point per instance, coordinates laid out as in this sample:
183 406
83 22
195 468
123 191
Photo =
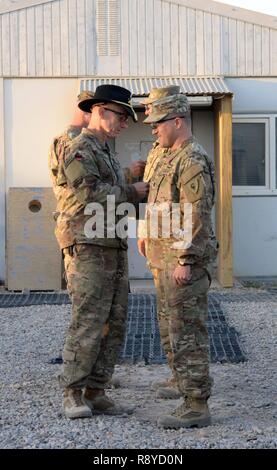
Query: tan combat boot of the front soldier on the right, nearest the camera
192 413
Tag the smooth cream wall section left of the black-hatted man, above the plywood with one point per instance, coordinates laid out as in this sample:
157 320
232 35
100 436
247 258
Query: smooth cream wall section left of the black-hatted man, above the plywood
35 110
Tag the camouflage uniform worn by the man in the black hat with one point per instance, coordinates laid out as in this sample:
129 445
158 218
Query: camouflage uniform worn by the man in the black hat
96 268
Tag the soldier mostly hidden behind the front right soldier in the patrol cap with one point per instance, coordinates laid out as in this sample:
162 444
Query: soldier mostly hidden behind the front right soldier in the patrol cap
166 389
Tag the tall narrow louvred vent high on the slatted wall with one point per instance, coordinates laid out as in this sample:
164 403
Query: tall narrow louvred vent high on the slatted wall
108 27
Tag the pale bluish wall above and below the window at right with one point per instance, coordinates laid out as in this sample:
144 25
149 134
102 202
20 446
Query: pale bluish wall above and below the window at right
254 217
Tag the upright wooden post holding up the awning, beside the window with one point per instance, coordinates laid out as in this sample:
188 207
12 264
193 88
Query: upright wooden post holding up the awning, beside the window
223 163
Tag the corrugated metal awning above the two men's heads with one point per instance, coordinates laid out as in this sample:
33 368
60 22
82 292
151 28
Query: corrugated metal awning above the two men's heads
141 86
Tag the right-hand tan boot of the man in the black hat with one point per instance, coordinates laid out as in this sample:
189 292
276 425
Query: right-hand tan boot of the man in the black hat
99 403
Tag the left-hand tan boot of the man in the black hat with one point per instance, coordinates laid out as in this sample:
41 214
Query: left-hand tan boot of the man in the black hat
73 404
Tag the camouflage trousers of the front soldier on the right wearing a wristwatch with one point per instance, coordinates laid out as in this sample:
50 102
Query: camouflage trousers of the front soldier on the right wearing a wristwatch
182 314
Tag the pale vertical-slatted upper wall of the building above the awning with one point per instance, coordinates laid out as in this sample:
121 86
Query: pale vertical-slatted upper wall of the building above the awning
135 38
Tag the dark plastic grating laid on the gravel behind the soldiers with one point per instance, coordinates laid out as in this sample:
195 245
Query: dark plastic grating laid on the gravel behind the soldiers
142 339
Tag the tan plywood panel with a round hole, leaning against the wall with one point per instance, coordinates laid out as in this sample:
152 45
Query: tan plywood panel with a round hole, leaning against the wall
33 257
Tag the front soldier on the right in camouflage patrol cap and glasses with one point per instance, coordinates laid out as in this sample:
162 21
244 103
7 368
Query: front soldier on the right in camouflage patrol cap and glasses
184 175
